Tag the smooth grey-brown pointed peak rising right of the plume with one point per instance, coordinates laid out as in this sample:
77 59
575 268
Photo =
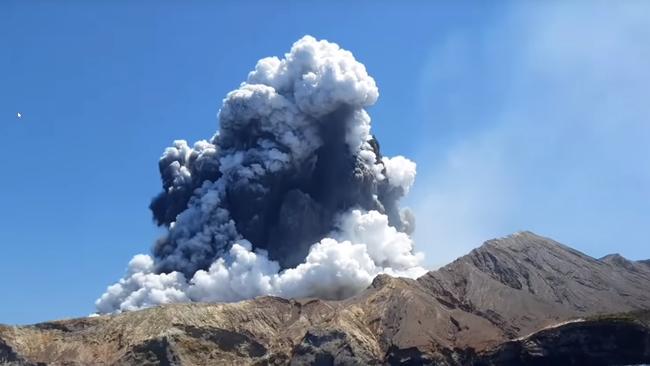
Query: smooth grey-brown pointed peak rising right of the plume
524 282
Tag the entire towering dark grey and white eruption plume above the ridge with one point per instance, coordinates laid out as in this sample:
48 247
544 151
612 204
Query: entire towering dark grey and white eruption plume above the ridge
291 197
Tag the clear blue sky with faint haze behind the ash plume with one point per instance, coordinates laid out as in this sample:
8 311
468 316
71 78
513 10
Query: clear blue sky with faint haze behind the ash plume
519 117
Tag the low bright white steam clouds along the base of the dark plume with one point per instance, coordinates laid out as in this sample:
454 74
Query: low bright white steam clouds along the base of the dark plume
336 267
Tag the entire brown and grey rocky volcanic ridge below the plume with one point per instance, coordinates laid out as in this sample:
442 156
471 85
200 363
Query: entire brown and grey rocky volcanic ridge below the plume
506 300
